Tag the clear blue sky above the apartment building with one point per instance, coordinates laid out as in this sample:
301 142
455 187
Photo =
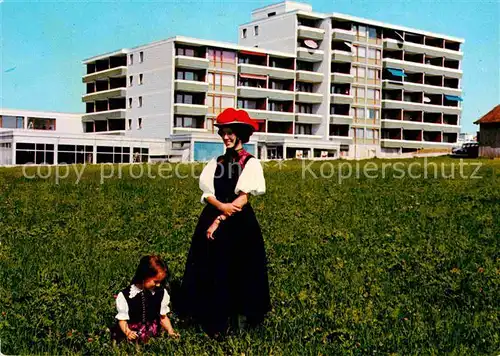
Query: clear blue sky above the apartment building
43 43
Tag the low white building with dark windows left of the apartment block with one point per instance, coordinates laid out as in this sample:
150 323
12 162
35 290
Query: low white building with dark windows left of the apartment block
35 137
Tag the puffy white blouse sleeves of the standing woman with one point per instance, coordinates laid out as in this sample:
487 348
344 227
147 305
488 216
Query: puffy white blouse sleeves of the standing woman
250 181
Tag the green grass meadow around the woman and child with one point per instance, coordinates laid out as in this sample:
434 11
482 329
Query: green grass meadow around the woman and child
385 266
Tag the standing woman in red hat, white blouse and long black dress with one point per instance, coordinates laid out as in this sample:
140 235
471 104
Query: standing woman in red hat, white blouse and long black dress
226 273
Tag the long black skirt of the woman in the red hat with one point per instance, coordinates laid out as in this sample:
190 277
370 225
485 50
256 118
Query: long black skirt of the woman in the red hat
226 276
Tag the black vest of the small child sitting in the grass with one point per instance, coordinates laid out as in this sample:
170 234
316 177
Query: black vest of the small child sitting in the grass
144 306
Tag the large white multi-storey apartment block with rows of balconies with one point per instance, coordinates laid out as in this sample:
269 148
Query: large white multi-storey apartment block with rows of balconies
320 85
